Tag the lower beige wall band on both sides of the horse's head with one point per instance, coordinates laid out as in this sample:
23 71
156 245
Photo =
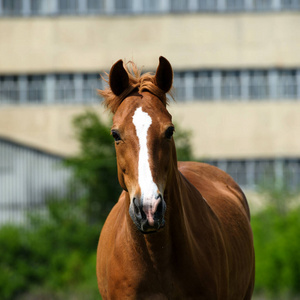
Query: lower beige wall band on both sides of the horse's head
220 130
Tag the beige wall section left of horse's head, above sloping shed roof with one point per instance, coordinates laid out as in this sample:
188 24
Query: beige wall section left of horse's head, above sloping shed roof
47 128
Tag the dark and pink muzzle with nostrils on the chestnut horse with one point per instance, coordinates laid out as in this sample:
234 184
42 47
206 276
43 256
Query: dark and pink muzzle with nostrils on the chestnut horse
148 213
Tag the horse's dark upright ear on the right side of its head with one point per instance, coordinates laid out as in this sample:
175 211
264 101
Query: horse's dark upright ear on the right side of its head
164 75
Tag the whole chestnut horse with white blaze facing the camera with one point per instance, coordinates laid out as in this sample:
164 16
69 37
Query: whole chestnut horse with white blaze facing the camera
180 230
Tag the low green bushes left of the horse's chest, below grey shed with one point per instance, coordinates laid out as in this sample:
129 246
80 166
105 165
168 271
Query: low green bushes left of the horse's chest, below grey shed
55 253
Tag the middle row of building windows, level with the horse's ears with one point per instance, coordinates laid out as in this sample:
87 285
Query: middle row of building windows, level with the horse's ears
202 85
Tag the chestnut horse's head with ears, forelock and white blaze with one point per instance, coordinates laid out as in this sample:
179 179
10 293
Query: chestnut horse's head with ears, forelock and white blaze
143 133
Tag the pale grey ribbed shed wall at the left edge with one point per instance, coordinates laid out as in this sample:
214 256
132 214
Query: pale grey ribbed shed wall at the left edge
27 179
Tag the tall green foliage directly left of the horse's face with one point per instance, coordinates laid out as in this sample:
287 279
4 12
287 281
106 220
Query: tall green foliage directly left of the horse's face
95 166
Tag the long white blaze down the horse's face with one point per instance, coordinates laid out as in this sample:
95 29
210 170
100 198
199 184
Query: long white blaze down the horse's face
142 122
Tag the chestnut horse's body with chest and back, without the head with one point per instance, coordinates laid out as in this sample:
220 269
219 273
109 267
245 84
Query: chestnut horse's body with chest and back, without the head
203 257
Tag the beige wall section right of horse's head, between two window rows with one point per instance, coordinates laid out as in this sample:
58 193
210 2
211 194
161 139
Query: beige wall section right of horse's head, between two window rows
242 130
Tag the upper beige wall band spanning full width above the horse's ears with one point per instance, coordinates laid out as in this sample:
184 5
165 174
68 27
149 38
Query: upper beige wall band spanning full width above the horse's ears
70 44
